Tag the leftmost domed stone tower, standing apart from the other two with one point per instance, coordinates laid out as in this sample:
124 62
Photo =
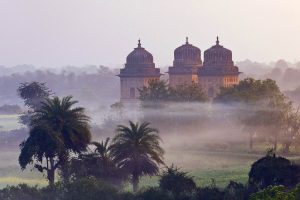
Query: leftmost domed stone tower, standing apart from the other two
139 69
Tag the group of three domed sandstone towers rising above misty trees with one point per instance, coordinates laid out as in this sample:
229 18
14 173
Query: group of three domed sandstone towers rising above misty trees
217 71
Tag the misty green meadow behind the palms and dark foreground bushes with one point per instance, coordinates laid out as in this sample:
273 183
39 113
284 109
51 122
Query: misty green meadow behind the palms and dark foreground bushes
202 160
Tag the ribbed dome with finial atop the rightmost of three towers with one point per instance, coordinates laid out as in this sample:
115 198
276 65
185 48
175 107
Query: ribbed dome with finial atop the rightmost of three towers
217 55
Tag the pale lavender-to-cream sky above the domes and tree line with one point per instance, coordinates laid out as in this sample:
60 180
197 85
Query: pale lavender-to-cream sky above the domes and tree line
54 33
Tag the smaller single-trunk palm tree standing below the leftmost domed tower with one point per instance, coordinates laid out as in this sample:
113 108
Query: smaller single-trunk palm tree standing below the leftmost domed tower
137 149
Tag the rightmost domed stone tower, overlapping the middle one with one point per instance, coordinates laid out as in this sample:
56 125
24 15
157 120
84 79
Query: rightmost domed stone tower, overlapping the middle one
218 70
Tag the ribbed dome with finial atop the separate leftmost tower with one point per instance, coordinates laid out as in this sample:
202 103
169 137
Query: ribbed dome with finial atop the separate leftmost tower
139 57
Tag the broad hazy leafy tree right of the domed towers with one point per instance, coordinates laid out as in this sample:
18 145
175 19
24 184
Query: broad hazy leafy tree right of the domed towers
267 107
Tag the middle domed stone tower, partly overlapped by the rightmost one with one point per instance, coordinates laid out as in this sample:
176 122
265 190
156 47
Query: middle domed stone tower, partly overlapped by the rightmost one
187 61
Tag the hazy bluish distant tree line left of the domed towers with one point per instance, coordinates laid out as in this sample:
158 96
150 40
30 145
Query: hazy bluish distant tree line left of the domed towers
85 84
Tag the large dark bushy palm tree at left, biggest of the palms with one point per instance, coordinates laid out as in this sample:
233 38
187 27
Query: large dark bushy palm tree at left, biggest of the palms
66 128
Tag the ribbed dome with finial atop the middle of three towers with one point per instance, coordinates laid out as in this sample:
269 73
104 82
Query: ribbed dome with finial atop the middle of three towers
187 55
